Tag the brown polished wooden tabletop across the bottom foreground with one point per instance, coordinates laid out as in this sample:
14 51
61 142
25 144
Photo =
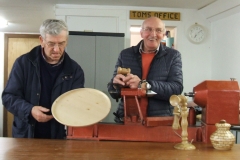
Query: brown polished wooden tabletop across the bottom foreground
43 149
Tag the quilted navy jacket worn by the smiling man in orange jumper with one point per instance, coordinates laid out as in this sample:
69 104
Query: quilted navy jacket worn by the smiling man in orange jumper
165 77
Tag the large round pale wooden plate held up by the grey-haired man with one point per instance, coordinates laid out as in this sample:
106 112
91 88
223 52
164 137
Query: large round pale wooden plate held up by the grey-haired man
81 107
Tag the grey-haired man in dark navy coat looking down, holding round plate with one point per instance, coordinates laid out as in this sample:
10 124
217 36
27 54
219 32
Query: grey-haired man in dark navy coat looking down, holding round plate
37 79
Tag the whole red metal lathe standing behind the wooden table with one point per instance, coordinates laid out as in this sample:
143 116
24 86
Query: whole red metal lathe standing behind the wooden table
218 99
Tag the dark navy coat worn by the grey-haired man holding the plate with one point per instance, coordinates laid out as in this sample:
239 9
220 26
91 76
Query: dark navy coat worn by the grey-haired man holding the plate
23 91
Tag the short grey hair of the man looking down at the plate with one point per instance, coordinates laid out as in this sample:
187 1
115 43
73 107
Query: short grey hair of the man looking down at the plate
52 27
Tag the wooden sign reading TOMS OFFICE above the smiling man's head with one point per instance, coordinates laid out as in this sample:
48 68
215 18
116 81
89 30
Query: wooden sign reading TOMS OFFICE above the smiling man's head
172 16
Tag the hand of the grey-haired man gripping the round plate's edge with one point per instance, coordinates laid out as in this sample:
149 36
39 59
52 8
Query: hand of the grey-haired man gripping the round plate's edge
38 113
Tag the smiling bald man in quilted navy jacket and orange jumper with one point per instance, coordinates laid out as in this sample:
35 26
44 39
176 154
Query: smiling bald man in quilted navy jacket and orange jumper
151 62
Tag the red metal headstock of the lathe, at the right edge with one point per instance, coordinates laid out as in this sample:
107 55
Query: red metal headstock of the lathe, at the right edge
219 100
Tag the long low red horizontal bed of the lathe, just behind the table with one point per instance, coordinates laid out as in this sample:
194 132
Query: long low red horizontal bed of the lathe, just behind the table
103 131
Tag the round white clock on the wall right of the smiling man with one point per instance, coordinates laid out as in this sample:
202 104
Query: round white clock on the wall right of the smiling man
196 33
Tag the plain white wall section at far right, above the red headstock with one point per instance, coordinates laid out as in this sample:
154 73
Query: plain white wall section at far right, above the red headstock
226 48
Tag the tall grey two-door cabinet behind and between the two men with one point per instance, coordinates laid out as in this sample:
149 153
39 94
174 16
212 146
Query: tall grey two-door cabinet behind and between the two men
97 54
